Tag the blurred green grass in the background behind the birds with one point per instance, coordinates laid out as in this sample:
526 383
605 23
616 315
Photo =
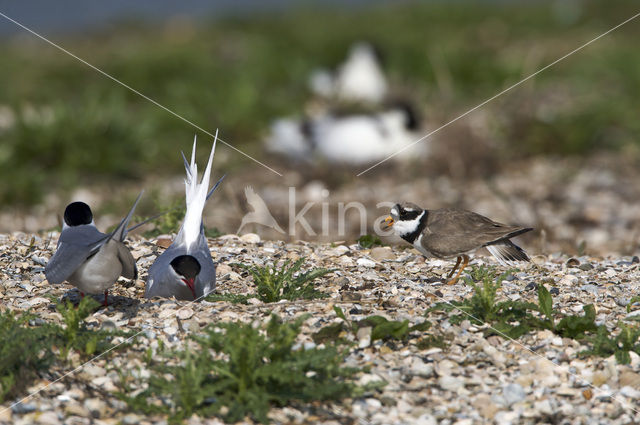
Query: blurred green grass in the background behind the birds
62 124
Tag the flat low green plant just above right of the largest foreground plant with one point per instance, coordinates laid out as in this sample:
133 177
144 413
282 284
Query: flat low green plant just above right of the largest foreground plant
381 328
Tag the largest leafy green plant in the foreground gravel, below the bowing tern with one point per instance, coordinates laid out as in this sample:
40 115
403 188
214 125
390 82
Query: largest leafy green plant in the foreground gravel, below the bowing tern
238 370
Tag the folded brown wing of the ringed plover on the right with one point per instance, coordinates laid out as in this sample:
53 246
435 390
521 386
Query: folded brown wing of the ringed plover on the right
450 232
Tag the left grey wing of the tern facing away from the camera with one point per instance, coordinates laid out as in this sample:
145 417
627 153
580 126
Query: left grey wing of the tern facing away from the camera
75 246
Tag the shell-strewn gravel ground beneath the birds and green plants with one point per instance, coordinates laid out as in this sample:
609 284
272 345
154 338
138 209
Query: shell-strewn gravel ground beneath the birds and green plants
472 380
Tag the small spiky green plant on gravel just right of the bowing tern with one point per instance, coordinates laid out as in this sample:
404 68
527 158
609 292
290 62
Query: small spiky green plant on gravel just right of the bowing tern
274 284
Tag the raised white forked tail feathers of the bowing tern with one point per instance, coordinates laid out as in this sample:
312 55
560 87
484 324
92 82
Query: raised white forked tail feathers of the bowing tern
196 197
